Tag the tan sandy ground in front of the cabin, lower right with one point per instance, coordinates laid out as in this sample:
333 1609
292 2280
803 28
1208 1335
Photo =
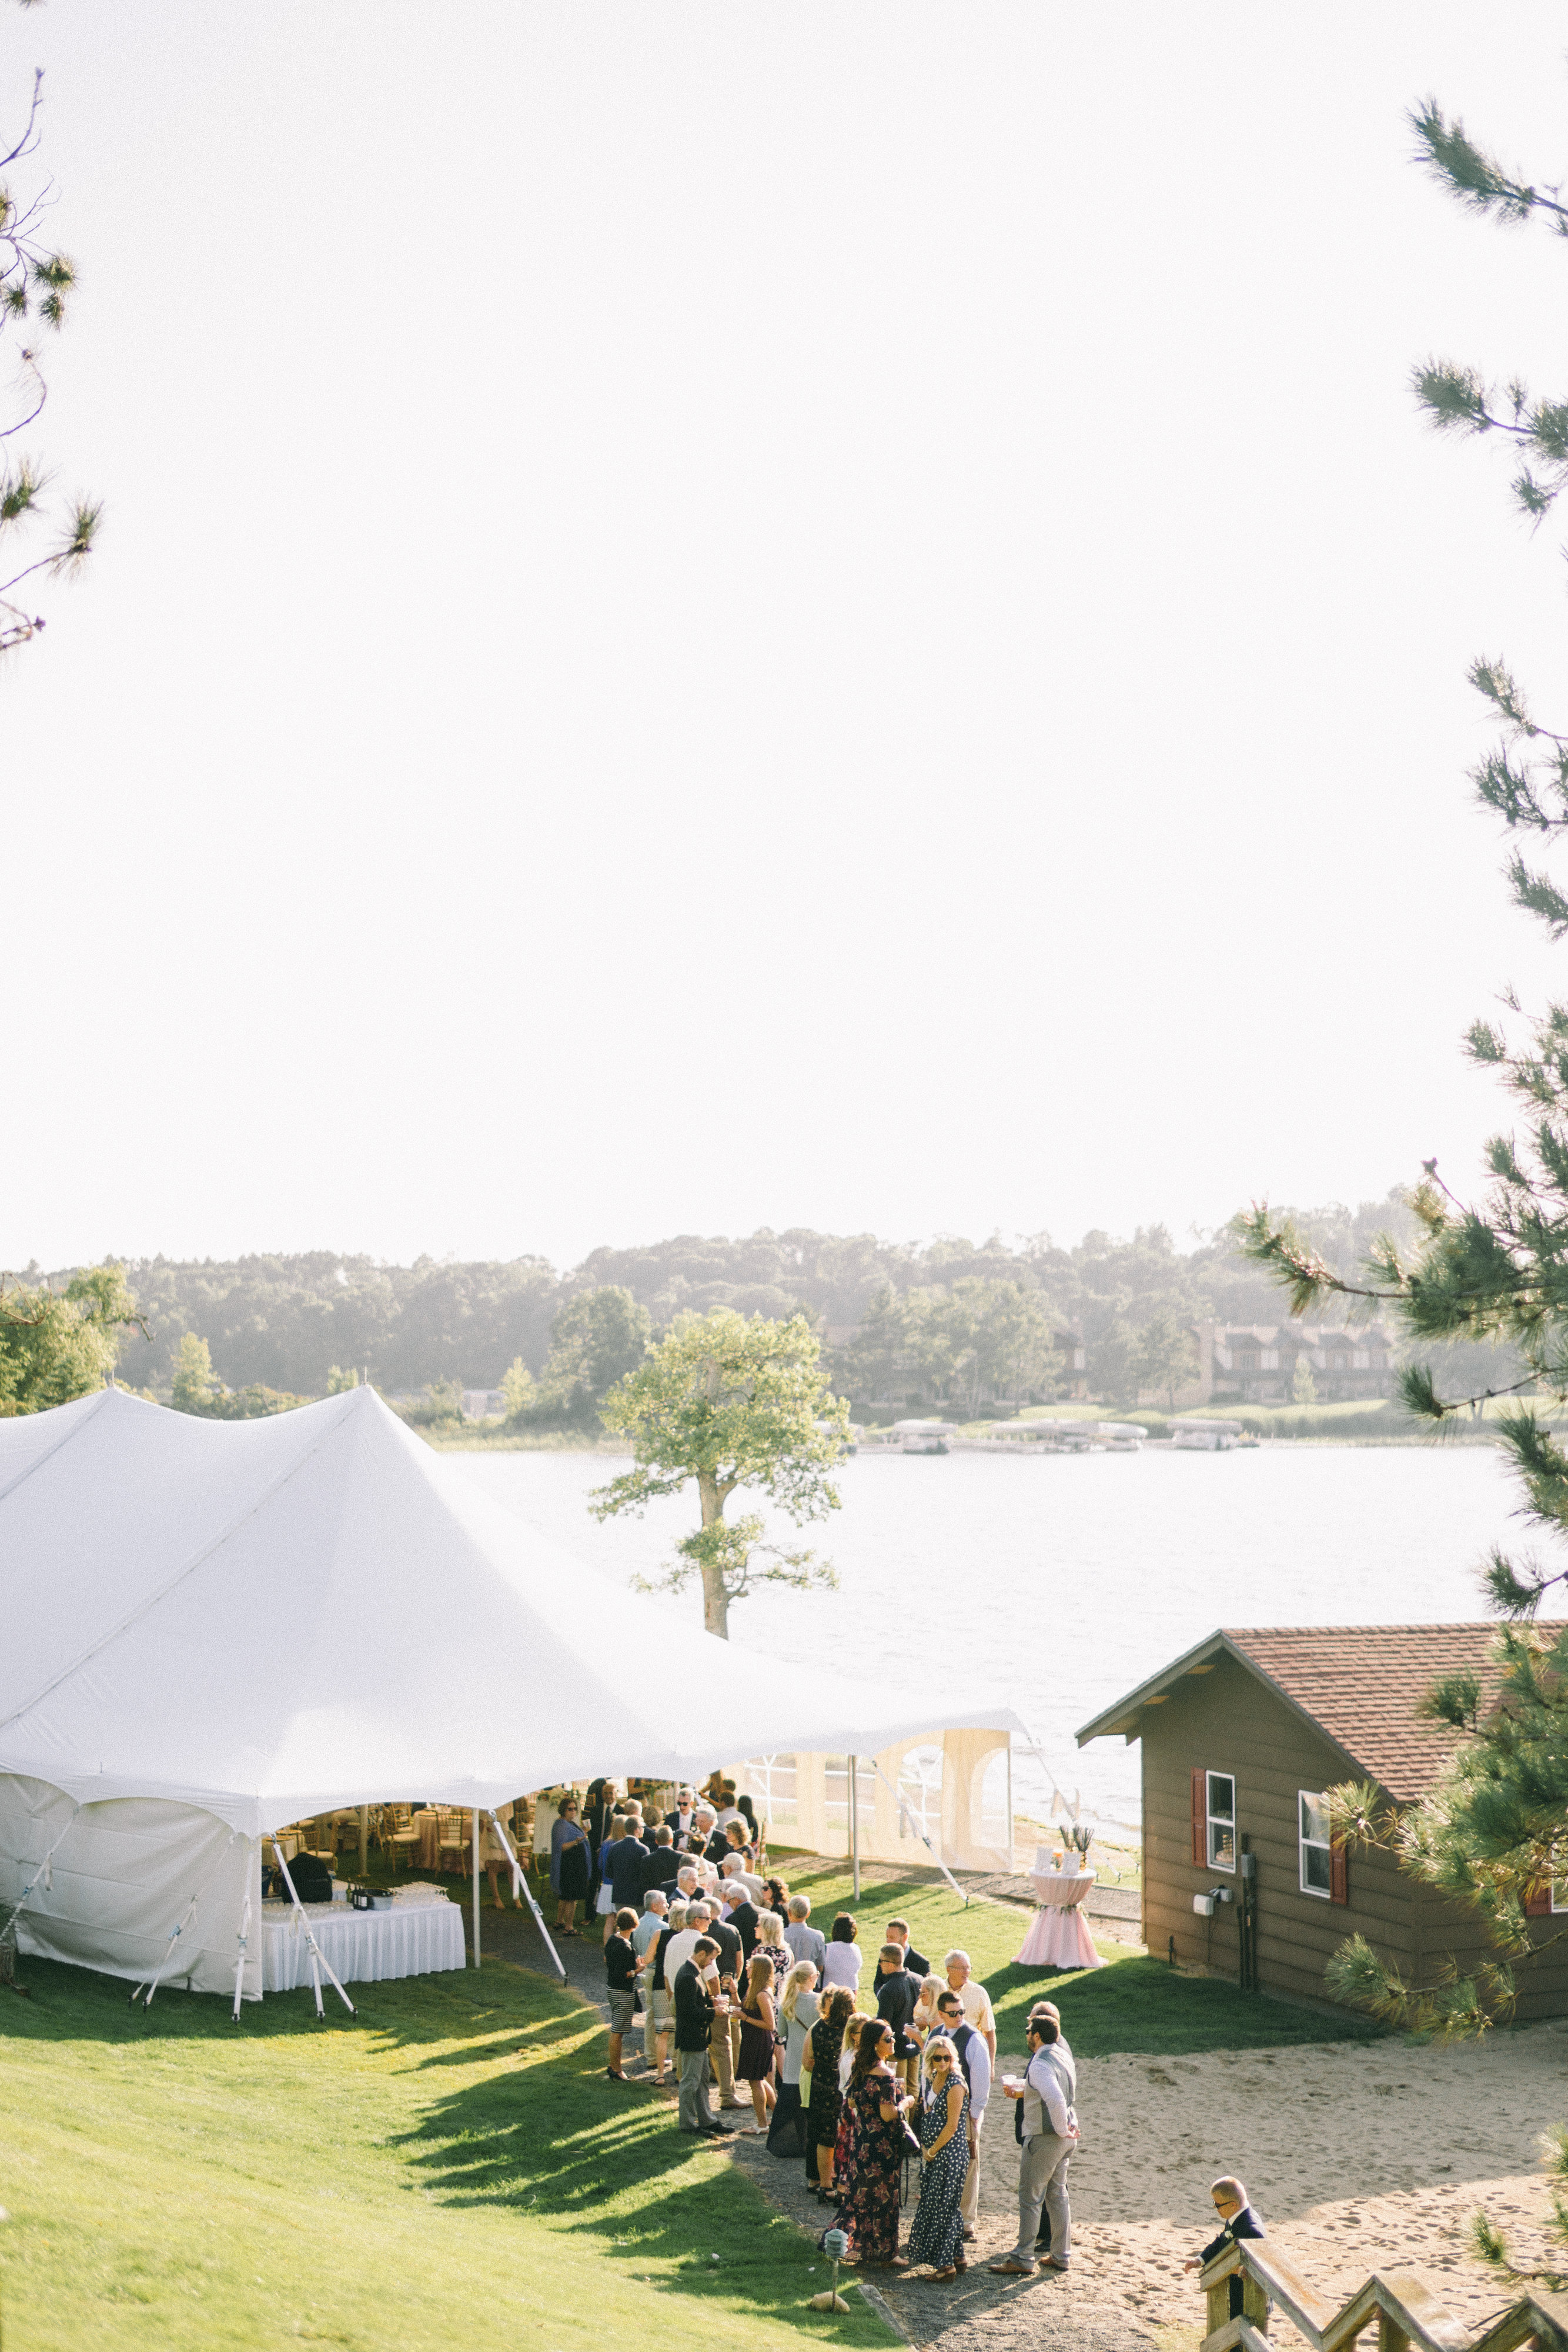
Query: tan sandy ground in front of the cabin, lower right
1358 2156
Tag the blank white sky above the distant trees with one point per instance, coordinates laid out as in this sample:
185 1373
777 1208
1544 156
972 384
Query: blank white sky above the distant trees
760 615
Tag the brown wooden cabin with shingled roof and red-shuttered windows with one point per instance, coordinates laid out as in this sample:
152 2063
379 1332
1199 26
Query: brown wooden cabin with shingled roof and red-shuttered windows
1240 1742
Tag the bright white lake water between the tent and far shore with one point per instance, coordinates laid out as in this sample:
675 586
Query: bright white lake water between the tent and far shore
1059 1584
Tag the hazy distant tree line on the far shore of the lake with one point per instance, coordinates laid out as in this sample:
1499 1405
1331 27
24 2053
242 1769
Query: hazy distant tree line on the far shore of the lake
946 1323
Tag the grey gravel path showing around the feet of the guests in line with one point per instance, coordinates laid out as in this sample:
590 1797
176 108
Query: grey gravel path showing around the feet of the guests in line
981 2313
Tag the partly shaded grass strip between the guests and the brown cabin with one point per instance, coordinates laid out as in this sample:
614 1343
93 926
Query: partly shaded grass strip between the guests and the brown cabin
1134 2005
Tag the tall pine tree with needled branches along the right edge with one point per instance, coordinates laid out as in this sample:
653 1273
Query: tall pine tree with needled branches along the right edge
1494 1833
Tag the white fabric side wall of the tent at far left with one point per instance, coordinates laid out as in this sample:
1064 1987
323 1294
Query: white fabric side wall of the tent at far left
121 1883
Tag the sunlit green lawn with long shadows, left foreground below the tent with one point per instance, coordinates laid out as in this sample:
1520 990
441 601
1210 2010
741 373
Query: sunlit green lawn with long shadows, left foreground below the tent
450 2170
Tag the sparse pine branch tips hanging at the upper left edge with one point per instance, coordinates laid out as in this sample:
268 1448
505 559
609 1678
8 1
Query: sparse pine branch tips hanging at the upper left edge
34 288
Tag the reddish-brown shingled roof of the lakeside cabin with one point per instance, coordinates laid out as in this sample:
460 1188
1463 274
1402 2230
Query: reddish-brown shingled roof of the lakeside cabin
1362 1685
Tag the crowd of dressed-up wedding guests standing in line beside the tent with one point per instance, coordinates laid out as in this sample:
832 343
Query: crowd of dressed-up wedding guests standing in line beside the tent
852 2071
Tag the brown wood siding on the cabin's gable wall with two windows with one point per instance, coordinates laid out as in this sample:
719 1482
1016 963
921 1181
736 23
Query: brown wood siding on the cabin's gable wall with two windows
1235 1725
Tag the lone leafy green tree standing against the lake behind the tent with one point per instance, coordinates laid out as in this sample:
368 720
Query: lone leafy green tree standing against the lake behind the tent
730 1405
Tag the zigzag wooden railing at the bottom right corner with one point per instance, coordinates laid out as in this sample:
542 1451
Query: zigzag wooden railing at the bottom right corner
1407 2313
